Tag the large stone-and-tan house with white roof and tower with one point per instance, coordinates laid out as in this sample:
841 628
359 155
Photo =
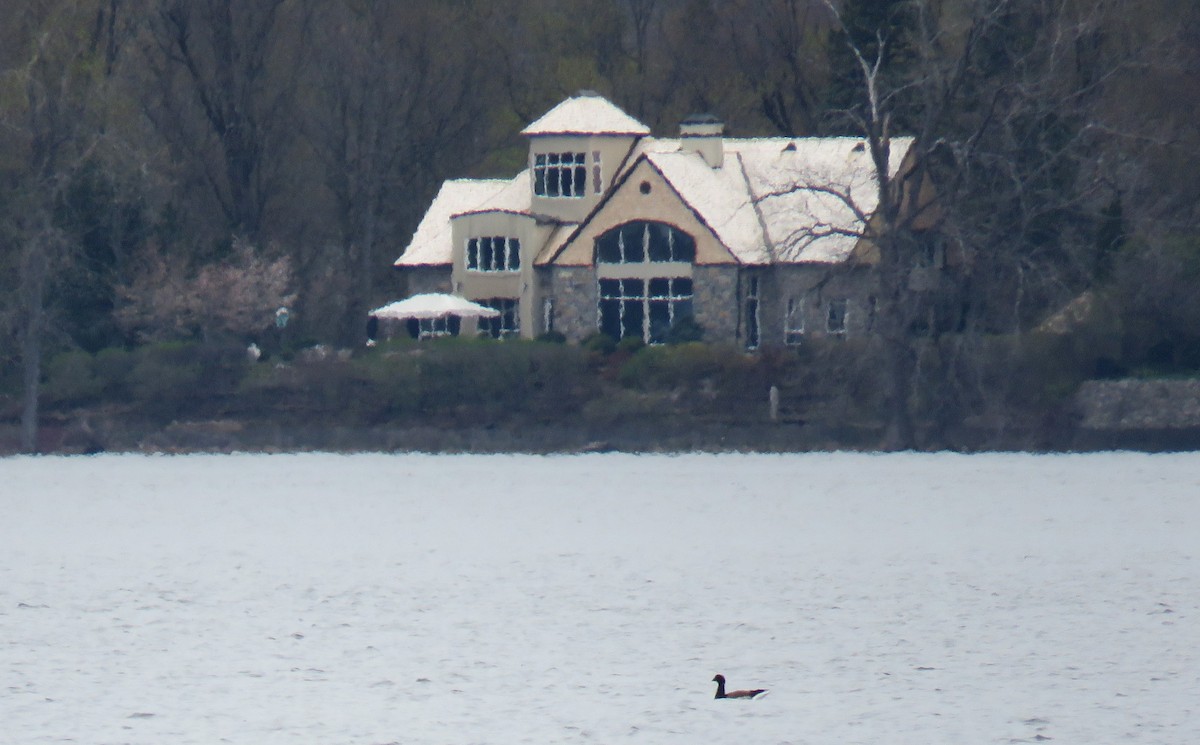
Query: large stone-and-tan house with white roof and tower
615 231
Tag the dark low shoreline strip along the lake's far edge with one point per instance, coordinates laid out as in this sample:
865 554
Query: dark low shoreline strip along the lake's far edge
87 437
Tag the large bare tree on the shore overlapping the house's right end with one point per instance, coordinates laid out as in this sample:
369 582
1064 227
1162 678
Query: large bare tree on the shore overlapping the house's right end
1003 128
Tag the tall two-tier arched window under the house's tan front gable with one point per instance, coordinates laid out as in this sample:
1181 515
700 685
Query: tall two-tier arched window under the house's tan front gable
645 278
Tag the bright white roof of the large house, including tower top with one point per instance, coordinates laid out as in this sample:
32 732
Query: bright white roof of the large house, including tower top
775 200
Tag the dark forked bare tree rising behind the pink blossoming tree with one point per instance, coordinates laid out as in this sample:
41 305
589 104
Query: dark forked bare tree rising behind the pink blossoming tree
221 91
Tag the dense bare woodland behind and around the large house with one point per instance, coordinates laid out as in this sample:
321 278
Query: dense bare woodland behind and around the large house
173 171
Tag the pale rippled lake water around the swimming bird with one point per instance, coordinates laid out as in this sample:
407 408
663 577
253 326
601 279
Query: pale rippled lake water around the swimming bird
381 599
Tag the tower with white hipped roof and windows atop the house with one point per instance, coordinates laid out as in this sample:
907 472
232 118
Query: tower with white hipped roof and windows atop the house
575 152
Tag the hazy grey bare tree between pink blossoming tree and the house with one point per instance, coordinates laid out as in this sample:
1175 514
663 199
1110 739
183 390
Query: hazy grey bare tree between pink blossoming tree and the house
397 100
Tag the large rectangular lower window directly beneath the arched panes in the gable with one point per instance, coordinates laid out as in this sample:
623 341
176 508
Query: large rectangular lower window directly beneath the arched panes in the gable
644 309
